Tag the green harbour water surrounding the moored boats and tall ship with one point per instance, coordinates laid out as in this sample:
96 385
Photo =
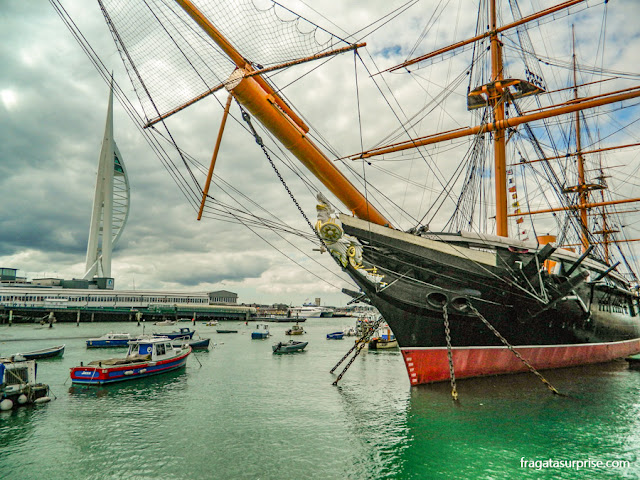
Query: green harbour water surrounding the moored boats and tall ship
240 412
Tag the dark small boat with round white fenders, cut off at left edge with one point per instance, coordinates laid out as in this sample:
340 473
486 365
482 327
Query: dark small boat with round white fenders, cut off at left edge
18 384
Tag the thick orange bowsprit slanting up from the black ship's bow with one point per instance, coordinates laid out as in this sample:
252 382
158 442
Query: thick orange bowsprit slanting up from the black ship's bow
257 96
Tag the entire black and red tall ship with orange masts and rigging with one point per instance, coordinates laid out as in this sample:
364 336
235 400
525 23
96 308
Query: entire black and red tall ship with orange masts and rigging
521 258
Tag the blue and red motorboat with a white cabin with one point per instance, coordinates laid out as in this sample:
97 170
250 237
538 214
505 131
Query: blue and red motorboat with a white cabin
147 355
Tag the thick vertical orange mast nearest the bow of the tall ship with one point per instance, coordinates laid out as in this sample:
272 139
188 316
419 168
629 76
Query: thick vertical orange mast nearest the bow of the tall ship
499 144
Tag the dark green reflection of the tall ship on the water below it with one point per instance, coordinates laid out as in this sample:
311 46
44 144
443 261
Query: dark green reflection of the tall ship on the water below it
500 420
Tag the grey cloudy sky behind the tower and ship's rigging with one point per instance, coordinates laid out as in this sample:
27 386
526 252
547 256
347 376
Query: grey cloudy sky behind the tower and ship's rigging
52 111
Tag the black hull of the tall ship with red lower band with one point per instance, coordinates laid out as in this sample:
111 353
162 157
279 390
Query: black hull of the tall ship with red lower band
552 319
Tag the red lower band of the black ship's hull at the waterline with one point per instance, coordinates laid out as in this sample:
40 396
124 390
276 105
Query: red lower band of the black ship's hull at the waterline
426 365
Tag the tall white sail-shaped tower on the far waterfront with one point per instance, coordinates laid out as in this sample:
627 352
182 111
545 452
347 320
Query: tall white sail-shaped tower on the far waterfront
110 203
